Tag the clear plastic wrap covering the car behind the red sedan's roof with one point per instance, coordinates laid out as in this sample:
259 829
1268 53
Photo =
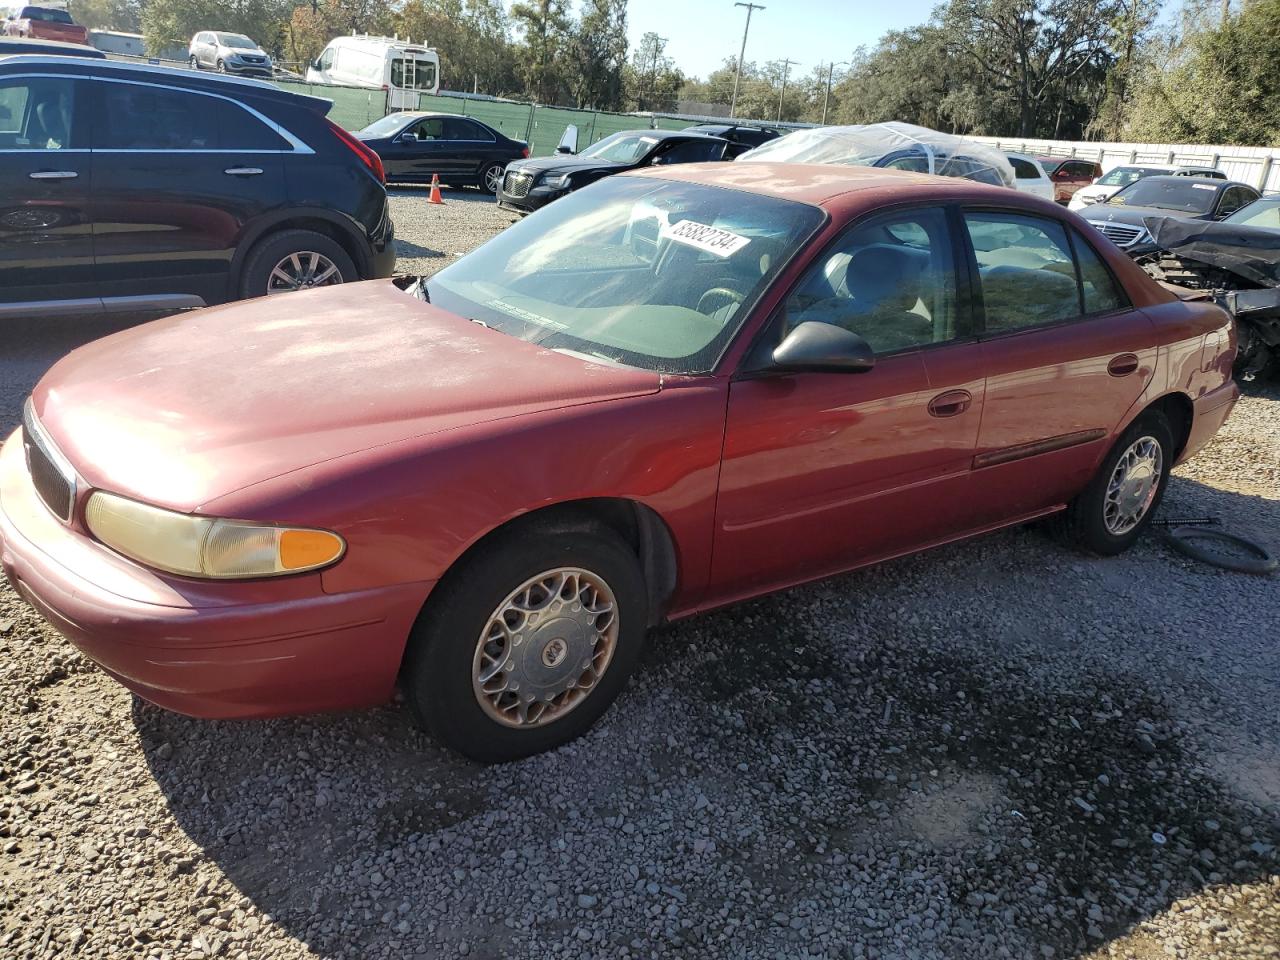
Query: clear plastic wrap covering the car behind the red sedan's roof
867 144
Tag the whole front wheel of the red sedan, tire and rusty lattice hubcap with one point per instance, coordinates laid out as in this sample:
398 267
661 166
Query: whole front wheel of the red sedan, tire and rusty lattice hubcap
525 647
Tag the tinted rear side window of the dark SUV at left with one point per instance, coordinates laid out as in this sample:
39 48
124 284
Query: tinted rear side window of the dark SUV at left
140 117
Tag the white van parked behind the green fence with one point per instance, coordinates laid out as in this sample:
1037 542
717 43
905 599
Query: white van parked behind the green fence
401 68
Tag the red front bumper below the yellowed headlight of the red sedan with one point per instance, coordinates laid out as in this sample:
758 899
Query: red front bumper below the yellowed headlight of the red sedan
243 655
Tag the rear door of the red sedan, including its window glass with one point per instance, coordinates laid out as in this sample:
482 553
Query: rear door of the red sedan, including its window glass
1066 358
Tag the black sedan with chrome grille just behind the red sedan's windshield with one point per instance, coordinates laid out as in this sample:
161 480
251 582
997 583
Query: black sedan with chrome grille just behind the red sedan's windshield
533 184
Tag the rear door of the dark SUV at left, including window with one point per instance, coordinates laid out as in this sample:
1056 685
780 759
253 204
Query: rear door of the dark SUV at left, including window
177 176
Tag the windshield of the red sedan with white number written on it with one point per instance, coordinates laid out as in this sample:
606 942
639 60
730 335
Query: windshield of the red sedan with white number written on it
648 273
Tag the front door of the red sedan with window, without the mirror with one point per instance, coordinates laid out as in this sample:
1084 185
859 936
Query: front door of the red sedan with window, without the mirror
825 472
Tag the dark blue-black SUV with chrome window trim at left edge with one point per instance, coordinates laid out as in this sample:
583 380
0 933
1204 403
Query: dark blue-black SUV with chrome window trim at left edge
130 188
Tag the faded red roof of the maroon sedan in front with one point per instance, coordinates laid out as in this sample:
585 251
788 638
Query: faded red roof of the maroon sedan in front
824 185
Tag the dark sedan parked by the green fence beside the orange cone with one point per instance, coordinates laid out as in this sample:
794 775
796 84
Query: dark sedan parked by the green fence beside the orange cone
463 152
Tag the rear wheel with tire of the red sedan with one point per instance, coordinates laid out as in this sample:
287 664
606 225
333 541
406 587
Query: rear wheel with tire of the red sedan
1119 502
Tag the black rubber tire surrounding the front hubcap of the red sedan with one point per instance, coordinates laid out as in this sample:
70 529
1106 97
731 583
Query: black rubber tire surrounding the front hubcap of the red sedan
437 675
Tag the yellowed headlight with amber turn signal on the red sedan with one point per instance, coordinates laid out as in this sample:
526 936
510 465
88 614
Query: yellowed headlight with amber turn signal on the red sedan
207 547
